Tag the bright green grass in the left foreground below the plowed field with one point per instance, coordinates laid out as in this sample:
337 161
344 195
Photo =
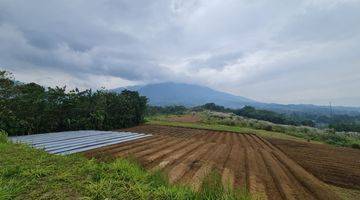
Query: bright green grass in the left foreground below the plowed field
27 173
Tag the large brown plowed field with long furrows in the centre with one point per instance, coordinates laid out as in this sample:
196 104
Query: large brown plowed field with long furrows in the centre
244 160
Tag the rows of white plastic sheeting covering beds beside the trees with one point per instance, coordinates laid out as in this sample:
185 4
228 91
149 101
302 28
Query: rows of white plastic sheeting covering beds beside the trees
69 142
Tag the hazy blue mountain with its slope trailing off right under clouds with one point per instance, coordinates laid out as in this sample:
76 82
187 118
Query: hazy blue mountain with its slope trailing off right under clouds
169 93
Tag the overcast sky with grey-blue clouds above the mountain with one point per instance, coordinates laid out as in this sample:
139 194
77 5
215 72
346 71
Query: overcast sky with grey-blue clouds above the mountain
271 51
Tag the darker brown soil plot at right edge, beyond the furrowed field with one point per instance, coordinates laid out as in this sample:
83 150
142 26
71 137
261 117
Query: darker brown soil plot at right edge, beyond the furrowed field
334 165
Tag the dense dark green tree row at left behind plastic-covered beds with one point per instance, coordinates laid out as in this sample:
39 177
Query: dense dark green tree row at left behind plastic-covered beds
31 108
